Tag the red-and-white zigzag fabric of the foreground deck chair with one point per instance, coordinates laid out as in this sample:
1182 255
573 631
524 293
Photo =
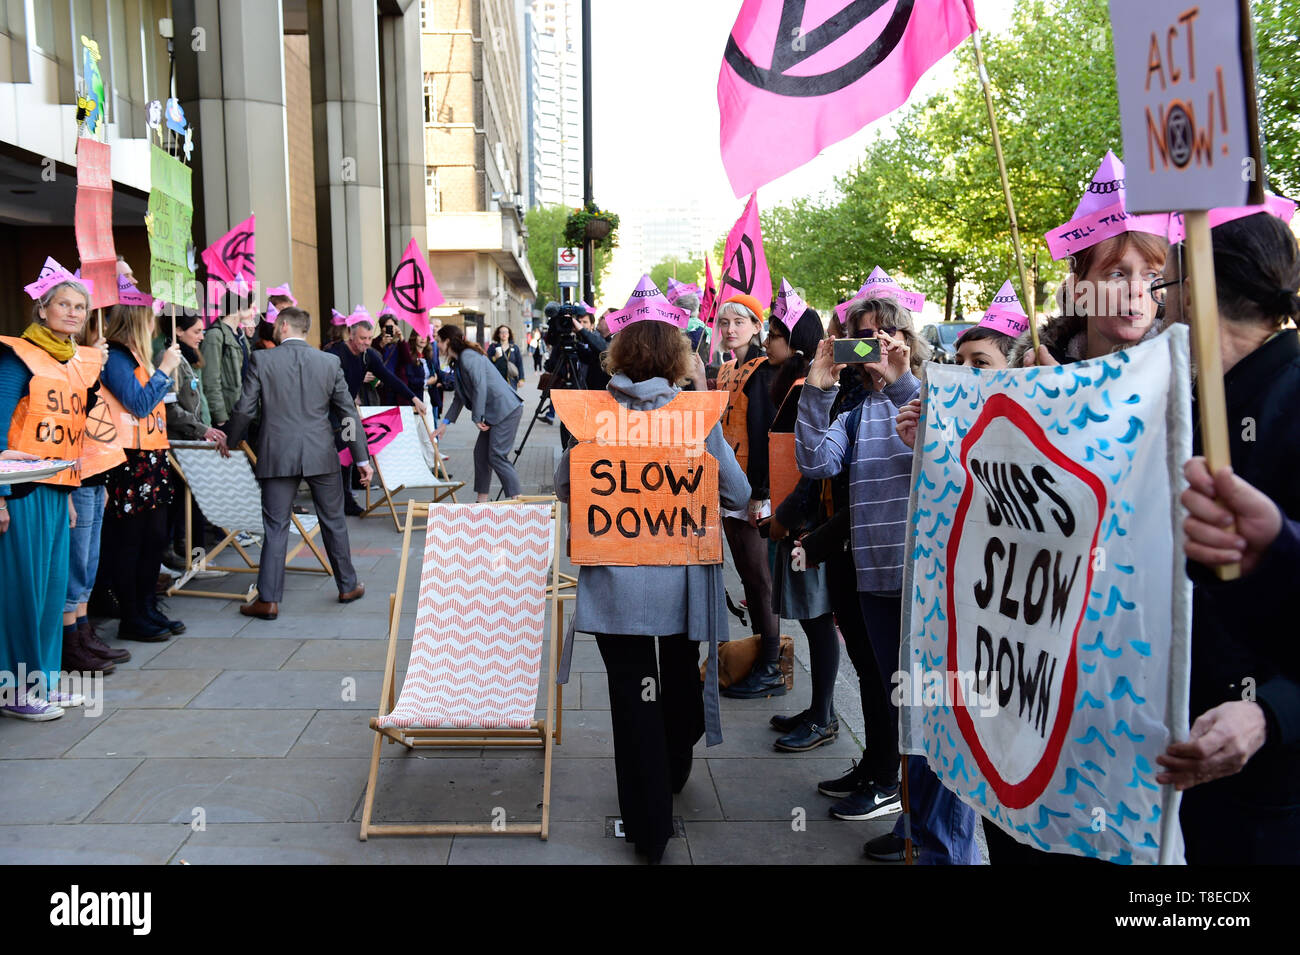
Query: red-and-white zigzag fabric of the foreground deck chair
478 646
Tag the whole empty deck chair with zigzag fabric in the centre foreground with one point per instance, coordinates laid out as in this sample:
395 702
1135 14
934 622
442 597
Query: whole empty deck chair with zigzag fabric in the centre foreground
476 684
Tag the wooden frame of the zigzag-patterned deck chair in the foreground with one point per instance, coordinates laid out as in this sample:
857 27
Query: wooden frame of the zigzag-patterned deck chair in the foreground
543 733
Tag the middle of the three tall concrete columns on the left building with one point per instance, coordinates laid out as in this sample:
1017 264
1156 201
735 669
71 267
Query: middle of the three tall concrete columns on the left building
345 62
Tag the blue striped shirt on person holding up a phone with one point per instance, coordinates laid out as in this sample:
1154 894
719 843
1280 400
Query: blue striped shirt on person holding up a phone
879 475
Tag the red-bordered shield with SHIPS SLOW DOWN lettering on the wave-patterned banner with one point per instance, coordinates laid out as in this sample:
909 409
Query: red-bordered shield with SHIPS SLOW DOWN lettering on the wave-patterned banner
1020 571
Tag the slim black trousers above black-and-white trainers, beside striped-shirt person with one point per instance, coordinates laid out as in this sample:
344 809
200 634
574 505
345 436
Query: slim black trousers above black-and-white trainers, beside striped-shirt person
881 754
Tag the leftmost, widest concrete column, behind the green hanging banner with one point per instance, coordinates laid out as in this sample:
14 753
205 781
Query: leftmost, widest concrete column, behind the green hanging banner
231 79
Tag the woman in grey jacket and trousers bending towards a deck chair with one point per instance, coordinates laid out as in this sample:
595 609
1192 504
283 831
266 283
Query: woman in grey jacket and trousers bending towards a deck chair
493 406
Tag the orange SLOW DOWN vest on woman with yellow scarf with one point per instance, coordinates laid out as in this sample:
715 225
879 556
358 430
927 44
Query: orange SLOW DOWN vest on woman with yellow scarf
51 418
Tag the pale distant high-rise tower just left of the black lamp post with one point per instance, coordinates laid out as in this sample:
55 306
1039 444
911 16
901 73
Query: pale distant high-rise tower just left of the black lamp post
554 59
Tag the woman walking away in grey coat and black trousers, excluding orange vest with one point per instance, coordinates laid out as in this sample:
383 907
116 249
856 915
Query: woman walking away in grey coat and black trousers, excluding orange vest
629 607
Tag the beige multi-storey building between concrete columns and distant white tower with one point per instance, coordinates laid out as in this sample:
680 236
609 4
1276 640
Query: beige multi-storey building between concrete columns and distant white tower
476 166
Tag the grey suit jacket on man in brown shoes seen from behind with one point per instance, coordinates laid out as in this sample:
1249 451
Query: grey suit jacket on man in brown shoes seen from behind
297 388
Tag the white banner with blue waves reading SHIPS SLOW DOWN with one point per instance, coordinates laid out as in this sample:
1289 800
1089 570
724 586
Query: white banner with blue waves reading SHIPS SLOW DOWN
1046 630
